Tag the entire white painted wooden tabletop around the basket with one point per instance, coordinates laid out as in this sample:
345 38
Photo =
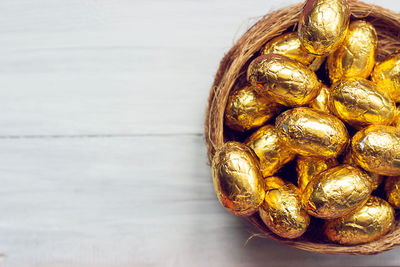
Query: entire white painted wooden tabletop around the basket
102 158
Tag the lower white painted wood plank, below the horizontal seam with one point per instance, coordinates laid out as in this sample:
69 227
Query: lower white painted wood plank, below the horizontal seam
128 201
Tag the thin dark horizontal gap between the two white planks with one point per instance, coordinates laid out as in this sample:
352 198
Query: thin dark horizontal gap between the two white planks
98 135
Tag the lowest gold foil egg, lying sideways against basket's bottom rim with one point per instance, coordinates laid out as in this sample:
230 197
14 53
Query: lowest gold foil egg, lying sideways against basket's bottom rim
366 224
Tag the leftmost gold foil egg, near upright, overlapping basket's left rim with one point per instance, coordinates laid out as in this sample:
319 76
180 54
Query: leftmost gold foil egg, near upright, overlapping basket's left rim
237 179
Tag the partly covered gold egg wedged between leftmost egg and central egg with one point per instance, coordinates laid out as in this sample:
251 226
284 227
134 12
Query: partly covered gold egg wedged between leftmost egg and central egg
271 152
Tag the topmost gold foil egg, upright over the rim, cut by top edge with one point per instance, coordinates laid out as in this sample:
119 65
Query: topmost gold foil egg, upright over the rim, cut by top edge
323 25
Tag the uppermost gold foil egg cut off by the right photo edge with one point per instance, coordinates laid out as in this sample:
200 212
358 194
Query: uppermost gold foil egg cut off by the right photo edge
387 76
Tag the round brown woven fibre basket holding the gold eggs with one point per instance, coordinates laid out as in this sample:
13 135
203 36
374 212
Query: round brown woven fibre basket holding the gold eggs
232 73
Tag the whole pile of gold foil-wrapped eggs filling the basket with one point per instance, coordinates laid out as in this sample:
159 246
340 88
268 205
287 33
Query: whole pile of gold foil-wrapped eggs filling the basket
344 136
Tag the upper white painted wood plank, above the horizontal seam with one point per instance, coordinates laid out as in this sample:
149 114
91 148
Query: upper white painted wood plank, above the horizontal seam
115 67
